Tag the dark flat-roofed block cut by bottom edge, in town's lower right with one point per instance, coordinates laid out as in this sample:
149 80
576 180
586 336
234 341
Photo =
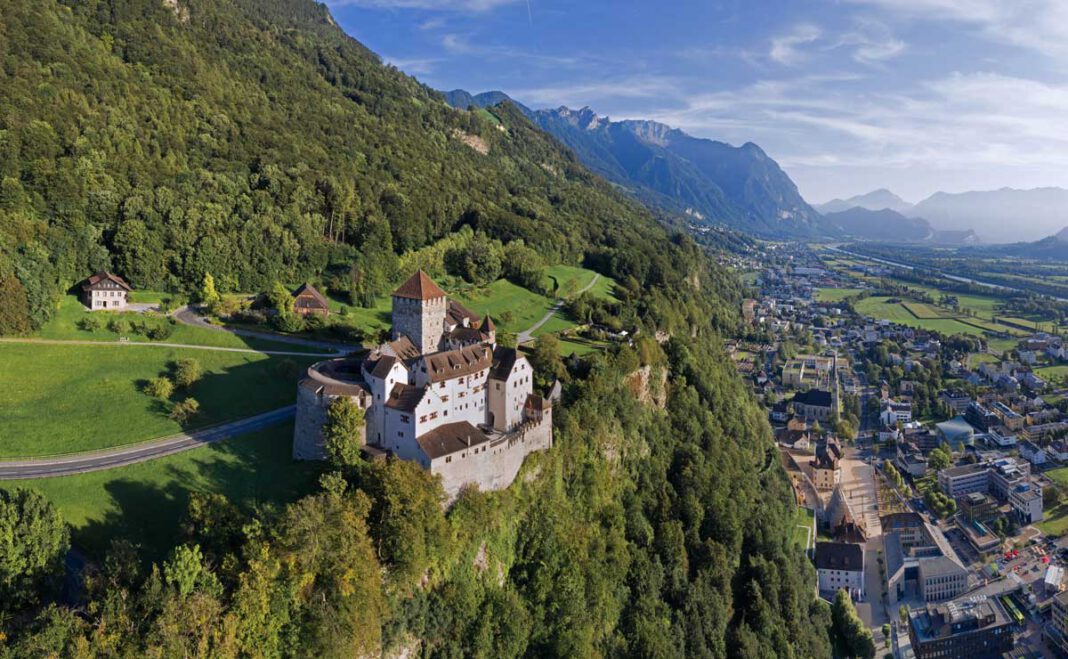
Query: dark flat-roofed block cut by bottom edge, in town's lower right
970 627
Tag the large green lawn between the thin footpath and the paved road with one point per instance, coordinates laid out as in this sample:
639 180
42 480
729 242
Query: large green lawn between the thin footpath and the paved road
66 399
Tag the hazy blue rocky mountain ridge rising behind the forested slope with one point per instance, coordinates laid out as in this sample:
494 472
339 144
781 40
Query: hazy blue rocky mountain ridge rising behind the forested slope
713 182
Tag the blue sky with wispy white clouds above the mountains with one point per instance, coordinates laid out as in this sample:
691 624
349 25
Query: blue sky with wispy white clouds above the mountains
849 96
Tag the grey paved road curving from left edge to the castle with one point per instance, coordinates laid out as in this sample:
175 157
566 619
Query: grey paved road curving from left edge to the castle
109 459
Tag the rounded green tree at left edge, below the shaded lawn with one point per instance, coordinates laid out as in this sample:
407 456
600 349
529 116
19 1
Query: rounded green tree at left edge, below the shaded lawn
34 543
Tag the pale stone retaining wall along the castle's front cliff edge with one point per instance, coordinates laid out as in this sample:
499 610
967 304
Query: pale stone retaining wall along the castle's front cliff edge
497 467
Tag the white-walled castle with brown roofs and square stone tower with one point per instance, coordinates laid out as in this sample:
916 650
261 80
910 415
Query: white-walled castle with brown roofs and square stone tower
442 394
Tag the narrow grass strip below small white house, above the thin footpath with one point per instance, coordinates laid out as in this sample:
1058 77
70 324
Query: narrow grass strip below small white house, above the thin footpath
64 326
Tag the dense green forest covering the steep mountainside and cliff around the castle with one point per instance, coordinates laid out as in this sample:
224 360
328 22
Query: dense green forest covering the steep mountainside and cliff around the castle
253 140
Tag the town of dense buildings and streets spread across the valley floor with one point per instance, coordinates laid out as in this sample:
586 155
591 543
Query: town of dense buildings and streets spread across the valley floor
930 470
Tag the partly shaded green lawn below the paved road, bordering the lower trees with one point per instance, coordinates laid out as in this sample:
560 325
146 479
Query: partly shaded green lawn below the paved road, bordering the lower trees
146 503
